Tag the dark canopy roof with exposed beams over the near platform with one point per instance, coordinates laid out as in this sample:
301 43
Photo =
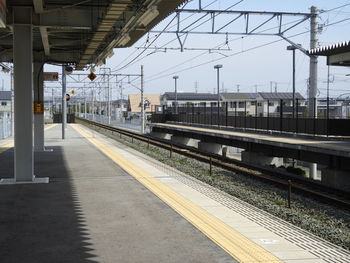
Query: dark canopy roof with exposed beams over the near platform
82 33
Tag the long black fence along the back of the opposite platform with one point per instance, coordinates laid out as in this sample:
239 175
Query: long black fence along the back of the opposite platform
282 120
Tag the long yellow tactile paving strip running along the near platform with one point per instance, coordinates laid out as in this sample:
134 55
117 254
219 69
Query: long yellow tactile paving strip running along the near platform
234 243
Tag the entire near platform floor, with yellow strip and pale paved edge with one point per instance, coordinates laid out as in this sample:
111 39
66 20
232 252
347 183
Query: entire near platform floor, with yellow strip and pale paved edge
109 203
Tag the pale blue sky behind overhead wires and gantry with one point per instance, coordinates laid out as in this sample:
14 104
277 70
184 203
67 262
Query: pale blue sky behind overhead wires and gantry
252 62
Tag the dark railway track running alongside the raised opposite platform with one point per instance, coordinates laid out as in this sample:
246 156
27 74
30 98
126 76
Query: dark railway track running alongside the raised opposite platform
269 175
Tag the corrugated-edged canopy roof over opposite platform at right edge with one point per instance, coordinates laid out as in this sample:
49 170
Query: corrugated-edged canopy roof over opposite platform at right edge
337 54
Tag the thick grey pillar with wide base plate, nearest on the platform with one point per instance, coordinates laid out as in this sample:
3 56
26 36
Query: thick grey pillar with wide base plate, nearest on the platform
23 98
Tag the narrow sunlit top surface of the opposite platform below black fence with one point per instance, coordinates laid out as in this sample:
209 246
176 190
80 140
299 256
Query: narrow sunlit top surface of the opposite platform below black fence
338 145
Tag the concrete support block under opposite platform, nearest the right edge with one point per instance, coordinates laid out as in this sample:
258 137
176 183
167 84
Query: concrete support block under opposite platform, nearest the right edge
338 179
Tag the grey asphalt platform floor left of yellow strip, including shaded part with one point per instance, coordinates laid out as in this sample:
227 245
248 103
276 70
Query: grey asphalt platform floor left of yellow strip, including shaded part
91 211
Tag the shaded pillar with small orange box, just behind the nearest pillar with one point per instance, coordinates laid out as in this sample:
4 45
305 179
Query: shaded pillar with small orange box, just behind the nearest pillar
38 80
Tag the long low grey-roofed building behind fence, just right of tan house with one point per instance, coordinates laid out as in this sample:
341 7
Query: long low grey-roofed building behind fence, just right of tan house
189 98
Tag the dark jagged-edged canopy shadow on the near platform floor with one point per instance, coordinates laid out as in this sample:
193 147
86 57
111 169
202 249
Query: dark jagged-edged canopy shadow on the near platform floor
42 222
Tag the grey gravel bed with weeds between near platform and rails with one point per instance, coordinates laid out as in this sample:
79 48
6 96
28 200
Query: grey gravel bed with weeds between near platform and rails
323 220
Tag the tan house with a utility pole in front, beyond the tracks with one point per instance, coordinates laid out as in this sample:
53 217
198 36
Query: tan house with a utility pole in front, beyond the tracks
134 103
